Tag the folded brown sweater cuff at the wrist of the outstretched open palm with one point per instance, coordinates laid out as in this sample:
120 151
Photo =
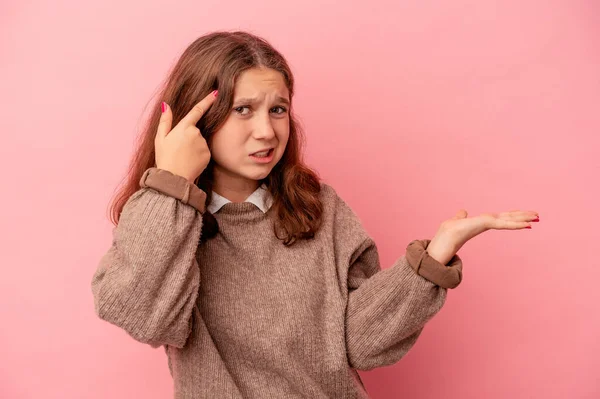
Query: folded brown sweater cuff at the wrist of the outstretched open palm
446 276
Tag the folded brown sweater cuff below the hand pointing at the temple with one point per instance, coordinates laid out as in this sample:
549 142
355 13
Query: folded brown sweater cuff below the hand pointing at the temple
175 186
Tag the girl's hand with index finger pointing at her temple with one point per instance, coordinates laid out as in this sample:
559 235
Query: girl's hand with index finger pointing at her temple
183 151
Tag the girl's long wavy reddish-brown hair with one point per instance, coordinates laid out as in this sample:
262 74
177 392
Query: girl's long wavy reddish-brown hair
214 61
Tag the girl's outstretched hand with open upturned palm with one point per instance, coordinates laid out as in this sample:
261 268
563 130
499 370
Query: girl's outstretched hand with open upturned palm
455 232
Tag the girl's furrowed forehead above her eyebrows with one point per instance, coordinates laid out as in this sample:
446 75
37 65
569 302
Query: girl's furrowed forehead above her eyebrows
261 81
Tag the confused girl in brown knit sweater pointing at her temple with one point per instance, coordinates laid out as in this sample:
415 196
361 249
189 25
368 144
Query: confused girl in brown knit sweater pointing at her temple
257 278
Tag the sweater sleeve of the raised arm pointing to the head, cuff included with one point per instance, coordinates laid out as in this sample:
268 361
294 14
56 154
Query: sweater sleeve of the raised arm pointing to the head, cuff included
147 282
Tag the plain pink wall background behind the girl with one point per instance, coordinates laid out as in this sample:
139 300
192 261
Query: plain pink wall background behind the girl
413 110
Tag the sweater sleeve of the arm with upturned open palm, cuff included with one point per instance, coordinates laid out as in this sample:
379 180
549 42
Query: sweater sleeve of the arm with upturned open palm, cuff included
387 310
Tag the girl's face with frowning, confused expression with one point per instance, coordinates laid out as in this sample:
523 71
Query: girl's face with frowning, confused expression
259 119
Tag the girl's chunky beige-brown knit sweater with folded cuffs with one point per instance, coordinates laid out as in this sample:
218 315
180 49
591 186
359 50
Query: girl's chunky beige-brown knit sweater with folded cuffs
243 316
